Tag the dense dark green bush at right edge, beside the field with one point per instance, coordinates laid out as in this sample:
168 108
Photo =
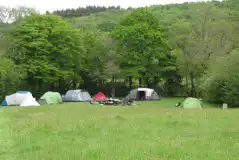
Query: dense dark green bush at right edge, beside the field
222 84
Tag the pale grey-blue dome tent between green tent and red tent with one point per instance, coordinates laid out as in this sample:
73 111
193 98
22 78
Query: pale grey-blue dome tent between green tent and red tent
77 96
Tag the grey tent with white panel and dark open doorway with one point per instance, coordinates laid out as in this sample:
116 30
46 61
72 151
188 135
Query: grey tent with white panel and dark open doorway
143 94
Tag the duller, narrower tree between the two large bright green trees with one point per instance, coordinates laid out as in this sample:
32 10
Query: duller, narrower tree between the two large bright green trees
101 63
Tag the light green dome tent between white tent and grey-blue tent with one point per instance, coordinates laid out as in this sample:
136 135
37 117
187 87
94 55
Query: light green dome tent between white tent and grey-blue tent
50 98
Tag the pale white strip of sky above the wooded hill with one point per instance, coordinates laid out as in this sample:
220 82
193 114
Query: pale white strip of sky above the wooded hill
44 5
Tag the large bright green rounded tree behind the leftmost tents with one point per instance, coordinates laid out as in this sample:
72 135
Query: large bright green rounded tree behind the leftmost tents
47 48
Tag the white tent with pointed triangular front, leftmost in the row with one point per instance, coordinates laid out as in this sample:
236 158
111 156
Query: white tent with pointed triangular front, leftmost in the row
21 98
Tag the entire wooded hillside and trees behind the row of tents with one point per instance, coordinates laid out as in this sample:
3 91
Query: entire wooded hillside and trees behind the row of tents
189 49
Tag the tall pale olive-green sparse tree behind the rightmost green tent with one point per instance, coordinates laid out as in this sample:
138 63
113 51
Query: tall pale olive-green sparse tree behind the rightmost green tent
196 40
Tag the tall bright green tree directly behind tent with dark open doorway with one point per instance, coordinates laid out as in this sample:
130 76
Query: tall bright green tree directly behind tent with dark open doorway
141 45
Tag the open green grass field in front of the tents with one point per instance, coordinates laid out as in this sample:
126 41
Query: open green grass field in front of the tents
148 131
